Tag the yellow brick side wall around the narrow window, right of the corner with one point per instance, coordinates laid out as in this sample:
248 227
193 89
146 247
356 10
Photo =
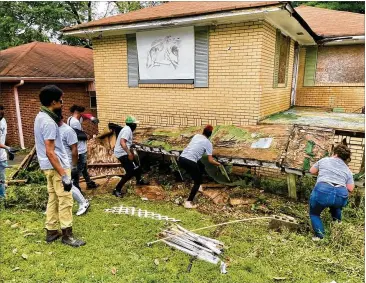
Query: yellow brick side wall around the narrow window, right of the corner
277 99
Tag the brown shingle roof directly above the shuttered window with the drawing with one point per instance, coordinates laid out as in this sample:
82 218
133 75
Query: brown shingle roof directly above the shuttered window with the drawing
172 10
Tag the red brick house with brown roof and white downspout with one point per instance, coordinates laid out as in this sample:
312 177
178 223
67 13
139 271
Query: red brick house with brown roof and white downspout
25 69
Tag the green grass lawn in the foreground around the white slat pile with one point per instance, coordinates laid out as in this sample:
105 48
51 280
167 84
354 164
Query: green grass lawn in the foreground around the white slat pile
118 243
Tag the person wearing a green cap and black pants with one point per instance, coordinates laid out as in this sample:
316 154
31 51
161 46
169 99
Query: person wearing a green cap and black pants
125 156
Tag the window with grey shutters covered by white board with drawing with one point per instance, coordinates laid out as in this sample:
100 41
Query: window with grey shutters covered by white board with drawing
168 56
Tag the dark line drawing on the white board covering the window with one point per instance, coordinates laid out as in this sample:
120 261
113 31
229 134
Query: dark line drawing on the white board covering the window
164 51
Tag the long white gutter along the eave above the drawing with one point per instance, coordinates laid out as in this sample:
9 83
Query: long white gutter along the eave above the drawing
172 22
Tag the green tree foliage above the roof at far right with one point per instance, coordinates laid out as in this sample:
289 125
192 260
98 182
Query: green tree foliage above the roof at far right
351 6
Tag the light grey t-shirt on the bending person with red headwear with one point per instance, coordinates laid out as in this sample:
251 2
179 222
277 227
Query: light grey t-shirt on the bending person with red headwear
197 147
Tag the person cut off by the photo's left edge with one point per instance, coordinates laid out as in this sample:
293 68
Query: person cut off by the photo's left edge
3 150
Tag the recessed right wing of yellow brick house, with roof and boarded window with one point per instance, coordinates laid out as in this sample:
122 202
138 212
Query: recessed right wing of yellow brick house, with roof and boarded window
332 74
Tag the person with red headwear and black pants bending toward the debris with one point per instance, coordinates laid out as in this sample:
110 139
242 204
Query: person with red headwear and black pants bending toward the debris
189 160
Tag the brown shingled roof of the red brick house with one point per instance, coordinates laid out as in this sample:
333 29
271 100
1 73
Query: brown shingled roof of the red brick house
46 60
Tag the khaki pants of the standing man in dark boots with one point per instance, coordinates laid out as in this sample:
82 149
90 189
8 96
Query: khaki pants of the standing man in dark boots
59 206
